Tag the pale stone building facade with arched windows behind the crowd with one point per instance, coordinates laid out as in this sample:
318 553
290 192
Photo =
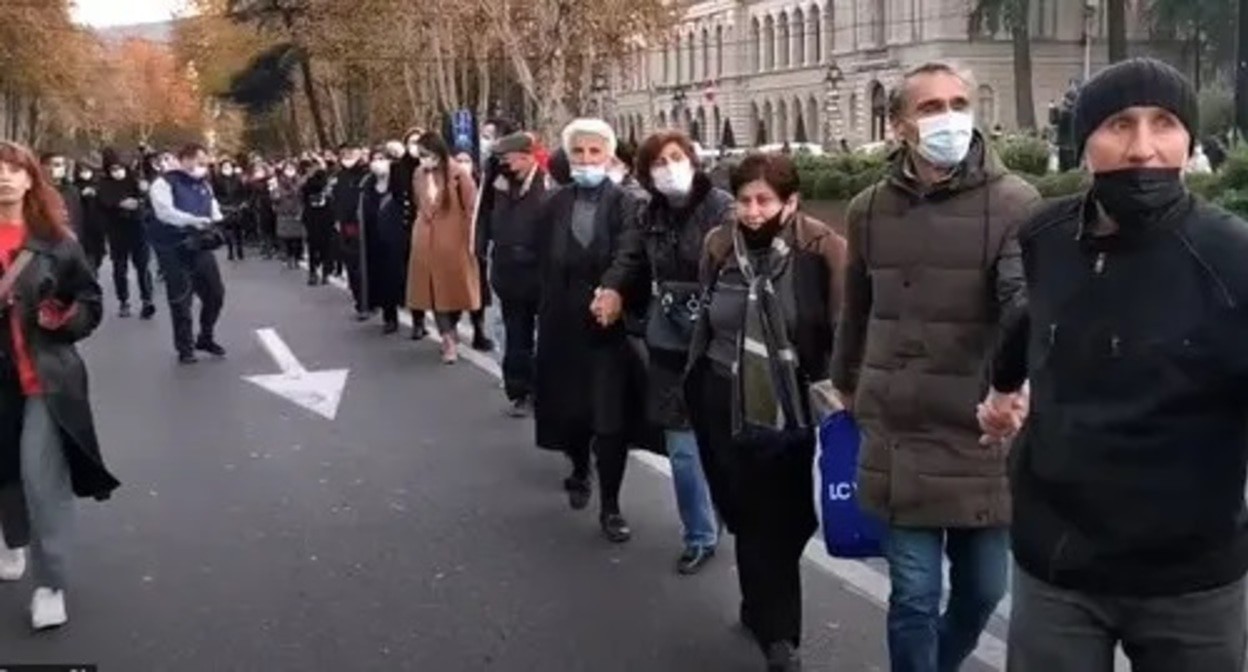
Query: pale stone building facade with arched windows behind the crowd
822 71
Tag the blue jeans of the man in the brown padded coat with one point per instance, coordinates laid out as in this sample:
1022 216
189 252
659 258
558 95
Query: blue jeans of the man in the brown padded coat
920 638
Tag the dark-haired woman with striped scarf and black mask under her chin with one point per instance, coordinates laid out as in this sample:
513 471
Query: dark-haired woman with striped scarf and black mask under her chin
773 278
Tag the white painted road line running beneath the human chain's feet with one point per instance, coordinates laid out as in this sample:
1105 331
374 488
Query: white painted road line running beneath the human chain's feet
857 576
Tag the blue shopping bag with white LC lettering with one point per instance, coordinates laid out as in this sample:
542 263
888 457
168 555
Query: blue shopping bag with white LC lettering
848 531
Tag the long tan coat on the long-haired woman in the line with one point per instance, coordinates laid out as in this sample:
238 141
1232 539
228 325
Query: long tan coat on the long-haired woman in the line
442 273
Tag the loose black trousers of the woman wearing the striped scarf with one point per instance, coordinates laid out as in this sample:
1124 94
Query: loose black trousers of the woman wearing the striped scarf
766 495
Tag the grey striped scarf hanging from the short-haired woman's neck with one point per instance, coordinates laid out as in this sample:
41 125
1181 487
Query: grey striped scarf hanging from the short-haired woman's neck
767 389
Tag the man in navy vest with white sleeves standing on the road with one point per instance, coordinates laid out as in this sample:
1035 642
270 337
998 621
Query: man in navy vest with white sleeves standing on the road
187 213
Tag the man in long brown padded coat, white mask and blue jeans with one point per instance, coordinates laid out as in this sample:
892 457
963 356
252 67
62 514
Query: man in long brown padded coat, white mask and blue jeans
933 267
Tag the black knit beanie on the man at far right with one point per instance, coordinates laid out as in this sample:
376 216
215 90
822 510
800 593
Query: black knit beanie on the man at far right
1135 83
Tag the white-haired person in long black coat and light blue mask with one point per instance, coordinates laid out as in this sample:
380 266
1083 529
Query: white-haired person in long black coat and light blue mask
587 380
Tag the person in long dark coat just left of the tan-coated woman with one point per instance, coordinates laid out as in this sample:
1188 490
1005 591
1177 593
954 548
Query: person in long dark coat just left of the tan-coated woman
386 243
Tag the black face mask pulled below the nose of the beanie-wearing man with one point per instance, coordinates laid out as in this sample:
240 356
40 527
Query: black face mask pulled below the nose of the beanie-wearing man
1139 197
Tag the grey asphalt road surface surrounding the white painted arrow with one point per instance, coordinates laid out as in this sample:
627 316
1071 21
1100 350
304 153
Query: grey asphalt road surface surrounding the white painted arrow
416 530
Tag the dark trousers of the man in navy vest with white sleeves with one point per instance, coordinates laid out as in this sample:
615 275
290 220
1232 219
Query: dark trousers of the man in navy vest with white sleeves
187 277
